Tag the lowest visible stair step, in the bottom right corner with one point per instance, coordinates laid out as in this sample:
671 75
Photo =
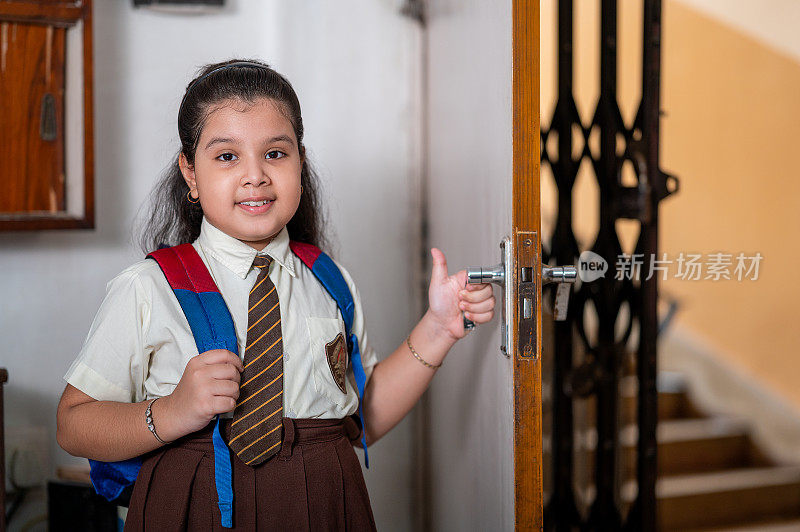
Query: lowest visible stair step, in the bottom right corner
728 498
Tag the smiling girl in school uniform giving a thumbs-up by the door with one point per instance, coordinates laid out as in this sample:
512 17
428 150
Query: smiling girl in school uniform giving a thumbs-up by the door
239 191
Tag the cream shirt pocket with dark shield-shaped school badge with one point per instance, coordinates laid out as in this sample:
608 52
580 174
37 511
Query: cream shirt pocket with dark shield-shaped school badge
329 357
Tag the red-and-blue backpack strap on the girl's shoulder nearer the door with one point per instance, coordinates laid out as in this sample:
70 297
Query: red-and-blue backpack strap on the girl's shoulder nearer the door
328 274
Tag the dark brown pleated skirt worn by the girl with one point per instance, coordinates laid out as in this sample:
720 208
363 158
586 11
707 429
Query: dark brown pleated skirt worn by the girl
313 483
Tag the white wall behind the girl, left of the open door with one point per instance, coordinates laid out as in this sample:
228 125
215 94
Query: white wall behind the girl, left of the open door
352 64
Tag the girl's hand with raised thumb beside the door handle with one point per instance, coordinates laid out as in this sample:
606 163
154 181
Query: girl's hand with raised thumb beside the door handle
449 295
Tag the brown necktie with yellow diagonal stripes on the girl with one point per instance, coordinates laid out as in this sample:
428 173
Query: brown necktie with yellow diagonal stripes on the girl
255 432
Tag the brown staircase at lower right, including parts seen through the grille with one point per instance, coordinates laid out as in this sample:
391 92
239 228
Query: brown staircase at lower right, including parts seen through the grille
712 476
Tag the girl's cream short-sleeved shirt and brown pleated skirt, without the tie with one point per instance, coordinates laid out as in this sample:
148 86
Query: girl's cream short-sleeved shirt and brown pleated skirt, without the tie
138 346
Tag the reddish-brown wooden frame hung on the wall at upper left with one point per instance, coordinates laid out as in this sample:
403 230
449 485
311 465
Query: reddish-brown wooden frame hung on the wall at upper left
46 115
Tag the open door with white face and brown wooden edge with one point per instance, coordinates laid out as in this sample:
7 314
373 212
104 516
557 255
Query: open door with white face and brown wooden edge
484 428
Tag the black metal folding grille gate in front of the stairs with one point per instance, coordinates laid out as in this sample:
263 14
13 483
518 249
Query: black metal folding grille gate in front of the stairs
590 359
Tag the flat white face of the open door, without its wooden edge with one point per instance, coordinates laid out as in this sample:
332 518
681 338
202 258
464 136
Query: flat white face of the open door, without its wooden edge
470 155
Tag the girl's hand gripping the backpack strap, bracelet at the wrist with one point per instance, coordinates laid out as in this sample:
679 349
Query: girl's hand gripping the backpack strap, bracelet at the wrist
209 386
